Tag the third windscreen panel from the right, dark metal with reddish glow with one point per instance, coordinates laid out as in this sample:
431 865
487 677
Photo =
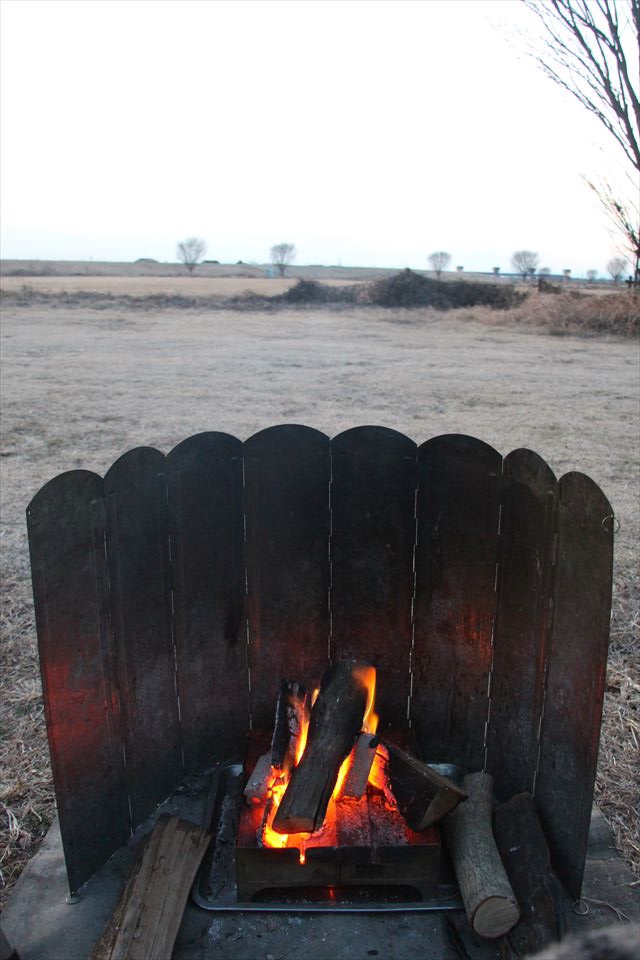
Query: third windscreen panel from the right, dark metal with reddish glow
456 551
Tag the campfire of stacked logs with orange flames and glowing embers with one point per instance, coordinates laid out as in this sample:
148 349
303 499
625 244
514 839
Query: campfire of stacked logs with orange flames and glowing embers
328 789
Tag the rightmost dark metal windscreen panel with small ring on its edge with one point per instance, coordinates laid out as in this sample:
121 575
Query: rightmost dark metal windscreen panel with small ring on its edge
576 674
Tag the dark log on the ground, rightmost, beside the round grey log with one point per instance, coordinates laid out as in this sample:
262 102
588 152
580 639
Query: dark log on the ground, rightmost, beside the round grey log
523 847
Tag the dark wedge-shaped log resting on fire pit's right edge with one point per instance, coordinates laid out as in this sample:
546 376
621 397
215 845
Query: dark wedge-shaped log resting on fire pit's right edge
423 796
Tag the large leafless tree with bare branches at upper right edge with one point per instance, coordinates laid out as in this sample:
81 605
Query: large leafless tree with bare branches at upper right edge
591 49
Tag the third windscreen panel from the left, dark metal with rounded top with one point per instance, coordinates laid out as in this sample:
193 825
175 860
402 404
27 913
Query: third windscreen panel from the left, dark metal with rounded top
208 582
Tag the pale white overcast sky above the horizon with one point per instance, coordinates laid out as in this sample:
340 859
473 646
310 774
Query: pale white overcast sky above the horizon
367 133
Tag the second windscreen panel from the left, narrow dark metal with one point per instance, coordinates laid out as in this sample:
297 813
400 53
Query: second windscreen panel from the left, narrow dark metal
138 551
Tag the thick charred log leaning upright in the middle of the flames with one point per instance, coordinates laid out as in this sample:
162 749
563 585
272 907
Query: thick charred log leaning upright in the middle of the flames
336 719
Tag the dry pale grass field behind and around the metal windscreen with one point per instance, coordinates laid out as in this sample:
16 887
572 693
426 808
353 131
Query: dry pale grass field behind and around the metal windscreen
81 385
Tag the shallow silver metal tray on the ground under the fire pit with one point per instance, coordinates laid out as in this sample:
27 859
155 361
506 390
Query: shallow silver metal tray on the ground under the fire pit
215 886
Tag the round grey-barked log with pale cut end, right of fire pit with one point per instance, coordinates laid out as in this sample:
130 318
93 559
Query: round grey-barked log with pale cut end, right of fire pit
488 899
